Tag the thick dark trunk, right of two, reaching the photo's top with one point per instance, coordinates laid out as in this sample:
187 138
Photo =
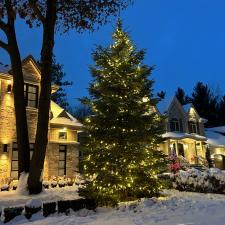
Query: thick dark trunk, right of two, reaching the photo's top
37 162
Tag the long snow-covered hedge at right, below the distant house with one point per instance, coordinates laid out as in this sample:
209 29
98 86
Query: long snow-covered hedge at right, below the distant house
208 181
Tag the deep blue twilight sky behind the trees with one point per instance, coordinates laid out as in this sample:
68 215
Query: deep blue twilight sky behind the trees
185 39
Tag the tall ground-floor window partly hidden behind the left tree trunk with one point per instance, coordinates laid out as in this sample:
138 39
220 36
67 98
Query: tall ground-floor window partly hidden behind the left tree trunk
14 165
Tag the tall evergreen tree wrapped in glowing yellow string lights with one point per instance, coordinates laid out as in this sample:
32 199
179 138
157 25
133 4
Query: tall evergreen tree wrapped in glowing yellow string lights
121 157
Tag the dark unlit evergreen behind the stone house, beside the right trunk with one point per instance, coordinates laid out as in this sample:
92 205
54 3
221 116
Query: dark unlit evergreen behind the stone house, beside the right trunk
58 76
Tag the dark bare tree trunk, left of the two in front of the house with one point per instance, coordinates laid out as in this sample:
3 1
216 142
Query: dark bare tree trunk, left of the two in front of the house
19 101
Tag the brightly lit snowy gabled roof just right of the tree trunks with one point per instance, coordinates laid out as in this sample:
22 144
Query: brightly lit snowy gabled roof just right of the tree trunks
63 118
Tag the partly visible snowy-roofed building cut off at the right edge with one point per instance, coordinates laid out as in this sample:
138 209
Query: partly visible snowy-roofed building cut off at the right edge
216 141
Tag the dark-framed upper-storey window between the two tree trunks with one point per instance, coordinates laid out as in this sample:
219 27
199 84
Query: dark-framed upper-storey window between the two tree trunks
31 95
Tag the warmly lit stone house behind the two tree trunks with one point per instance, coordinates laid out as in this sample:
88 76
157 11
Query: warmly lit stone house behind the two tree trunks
62 156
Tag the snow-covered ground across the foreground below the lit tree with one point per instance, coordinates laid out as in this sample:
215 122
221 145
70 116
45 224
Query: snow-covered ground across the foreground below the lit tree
177 208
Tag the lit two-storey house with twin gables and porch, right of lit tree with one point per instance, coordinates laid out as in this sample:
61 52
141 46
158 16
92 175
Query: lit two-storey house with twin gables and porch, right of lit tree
184 130
